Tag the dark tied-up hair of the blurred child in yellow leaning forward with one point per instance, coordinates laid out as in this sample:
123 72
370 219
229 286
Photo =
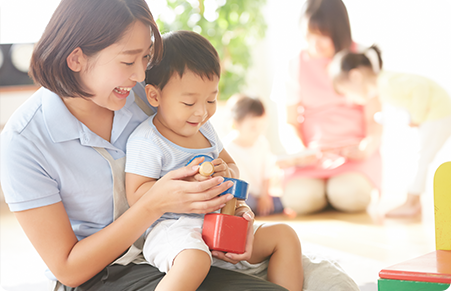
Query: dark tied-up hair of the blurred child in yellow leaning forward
346 60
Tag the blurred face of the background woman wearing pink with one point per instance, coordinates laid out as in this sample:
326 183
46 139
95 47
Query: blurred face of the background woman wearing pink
318 45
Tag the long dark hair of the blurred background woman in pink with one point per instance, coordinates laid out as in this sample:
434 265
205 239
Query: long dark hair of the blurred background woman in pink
330 18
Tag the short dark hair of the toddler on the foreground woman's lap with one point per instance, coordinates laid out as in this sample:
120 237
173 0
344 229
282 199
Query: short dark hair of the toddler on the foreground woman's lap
184 50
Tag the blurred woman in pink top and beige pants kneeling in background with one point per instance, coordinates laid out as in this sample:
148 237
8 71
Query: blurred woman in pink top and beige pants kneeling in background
340 163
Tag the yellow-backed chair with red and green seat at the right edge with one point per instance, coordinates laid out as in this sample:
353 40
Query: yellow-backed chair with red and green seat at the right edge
432 271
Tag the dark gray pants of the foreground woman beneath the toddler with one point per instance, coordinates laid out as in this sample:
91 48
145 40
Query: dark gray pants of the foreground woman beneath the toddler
145 277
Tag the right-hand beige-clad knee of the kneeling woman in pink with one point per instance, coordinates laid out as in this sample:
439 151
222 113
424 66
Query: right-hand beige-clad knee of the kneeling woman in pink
350 192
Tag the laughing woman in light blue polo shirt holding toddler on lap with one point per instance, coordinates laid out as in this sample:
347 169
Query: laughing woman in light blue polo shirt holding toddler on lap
63 152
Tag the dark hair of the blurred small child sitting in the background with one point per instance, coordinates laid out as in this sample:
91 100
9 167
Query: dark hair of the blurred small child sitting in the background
244 106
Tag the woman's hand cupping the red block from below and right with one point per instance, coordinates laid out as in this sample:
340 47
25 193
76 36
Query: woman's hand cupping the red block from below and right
244 211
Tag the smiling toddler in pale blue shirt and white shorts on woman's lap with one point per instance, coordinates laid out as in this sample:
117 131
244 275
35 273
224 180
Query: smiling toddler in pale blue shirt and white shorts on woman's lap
184 87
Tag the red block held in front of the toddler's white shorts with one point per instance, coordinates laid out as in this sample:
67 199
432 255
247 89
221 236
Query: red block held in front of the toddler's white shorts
226 233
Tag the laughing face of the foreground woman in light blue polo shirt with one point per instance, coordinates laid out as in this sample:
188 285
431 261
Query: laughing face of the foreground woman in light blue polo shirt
112 73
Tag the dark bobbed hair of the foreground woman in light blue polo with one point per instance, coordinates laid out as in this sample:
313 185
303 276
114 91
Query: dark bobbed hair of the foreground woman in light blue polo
91 25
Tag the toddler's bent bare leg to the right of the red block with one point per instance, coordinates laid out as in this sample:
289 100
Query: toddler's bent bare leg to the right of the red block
281 245
